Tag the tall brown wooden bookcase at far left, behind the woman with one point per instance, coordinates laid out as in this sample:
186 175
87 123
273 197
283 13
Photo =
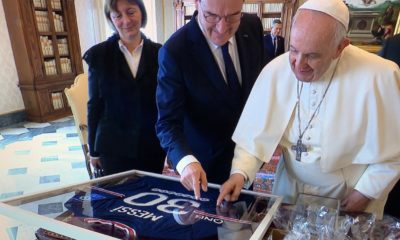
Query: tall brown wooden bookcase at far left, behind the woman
45 43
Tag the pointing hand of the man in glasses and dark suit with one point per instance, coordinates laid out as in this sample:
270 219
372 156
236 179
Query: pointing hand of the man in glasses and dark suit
192 177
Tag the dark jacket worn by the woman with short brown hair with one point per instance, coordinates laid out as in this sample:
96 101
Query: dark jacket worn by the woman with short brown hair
121 109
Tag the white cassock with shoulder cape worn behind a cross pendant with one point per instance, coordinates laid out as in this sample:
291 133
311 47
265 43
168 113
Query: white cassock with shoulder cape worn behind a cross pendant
353 141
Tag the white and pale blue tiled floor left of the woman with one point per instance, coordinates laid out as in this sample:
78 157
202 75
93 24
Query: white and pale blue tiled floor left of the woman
35 157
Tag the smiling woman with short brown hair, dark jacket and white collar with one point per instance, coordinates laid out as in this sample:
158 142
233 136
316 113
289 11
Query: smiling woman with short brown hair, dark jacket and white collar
122 82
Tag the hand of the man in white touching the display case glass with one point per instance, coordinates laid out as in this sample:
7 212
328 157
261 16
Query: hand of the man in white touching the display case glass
230 190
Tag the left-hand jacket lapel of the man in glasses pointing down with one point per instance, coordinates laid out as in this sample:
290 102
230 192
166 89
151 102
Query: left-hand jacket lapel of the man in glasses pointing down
206 61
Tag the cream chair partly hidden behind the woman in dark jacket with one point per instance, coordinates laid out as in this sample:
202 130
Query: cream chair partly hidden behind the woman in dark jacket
77 96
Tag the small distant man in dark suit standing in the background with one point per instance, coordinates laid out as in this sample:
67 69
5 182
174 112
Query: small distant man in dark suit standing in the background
274 43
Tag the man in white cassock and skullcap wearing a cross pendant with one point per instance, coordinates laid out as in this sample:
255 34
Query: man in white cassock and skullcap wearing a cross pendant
332 107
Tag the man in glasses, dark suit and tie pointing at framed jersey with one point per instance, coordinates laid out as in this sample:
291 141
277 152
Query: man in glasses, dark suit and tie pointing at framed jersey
206 71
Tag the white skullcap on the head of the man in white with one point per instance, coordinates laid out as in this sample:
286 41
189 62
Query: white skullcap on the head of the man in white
334 8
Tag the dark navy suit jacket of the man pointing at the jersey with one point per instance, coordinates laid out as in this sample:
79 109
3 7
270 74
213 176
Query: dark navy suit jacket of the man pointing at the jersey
197 111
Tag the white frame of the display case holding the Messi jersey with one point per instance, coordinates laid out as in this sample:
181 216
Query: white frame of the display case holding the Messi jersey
13 207
